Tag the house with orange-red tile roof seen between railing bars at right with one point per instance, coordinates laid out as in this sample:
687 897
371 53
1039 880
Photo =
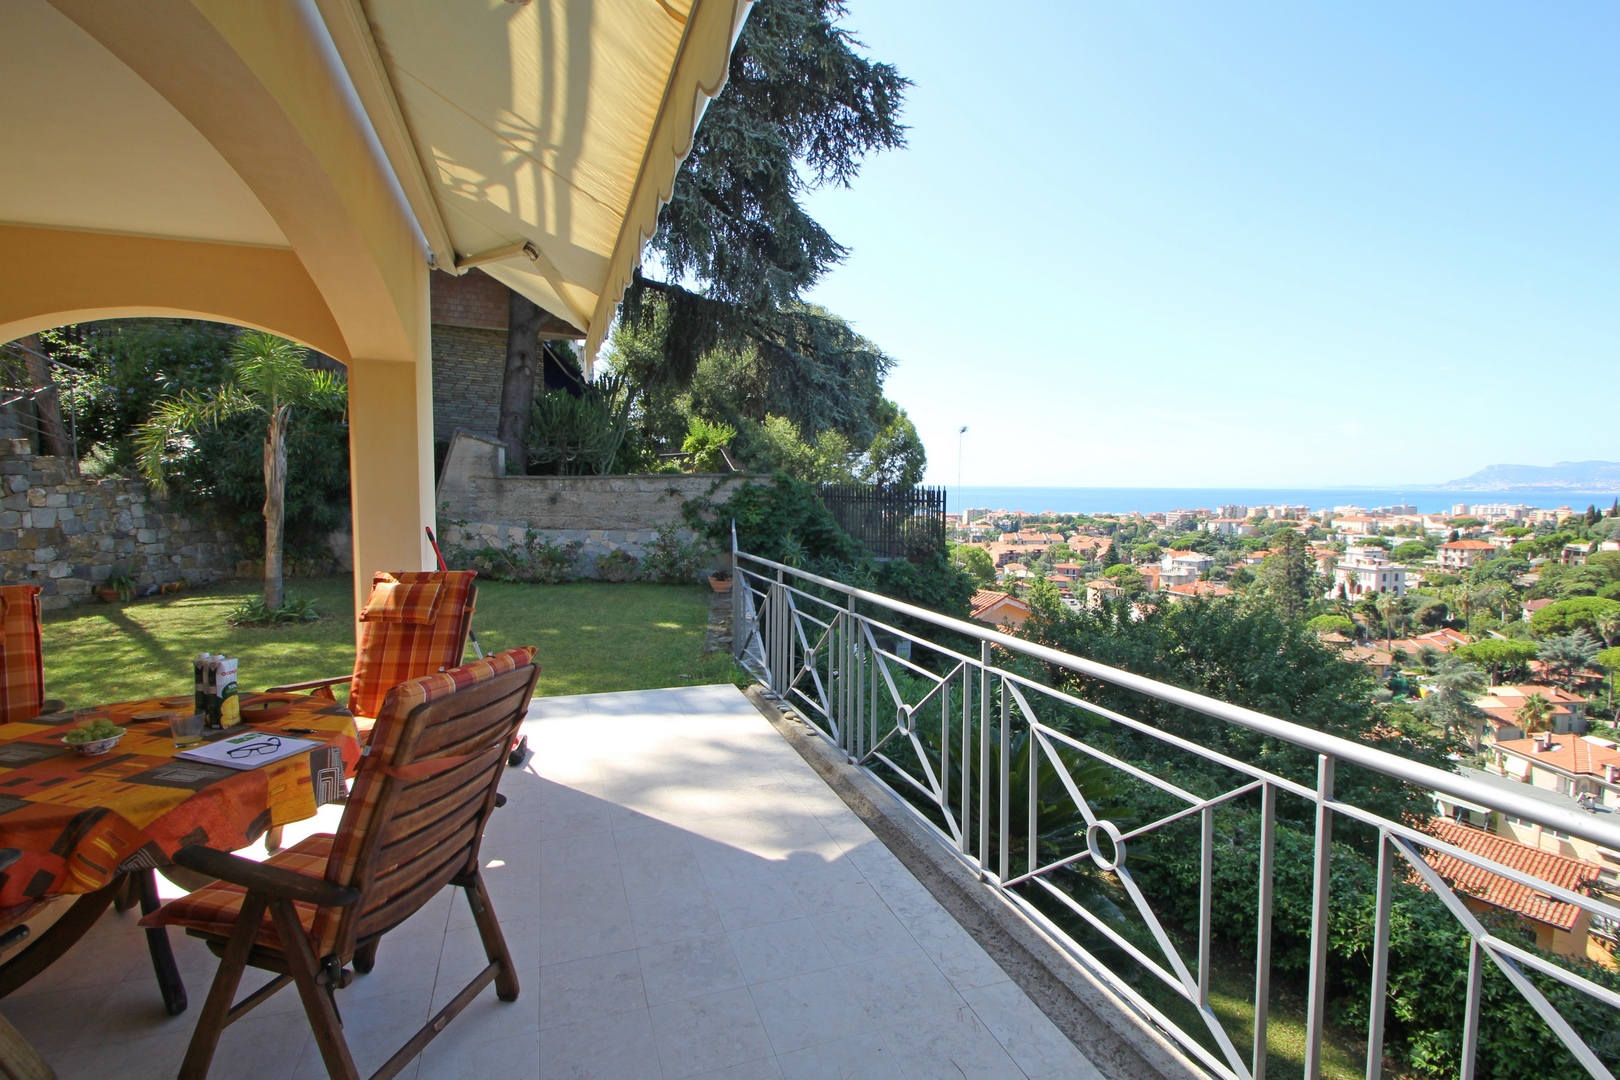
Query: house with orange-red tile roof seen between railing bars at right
1561 929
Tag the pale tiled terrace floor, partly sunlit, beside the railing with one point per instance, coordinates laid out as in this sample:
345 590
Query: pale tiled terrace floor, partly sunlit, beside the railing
684 898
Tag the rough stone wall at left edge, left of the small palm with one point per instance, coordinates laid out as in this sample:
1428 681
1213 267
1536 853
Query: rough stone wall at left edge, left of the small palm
69 535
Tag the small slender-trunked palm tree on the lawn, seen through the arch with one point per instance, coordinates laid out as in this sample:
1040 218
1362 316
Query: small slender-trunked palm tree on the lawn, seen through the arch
268 378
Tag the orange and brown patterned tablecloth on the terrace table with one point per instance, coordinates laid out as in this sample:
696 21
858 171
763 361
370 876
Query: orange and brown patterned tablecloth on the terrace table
80 820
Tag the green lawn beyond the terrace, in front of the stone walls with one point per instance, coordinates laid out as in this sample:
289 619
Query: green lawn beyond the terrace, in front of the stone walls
592 639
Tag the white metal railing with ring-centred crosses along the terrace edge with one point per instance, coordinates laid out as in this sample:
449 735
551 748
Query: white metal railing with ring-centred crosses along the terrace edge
940 726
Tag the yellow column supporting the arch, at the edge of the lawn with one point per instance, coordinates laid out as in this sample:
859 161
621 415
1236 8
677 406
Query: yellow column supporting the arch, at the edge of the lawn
391 461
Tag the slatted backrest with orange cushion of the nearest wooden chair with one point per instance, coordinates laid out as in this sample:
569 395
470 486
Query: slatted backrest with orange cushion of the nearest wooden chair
404 838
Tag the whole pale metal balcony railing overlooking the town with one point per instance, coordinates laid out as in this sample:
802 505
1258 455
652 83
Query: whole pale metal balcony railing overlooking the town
1065 807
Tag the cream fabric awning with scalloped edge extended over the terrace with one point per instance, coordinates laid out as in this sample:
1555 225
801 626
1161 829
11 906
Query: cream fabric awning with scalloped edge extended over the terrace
553 124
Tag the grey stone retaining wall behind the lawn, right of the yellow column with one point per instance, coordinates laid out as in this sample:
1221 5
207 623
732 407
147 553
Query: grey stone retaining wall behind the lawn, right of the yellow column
480 506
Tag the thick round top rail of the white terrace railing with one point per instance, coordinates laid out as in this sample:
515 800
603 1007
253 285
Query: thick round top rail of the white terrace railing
1396 767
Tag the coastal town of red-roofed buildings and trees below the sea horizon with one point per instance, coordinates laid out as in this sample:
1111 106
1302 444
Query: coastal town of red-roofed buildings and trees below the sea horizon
1494 626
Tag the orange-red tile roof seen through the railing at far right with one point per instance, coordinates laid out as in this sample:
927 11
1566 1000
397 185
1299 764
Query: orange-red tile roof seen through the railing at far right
1496 890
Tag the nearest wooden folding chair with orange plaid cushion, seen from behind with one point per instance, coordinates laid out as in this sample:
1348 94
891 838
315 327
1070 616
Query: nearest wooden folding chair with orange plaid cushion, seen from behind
412 827
